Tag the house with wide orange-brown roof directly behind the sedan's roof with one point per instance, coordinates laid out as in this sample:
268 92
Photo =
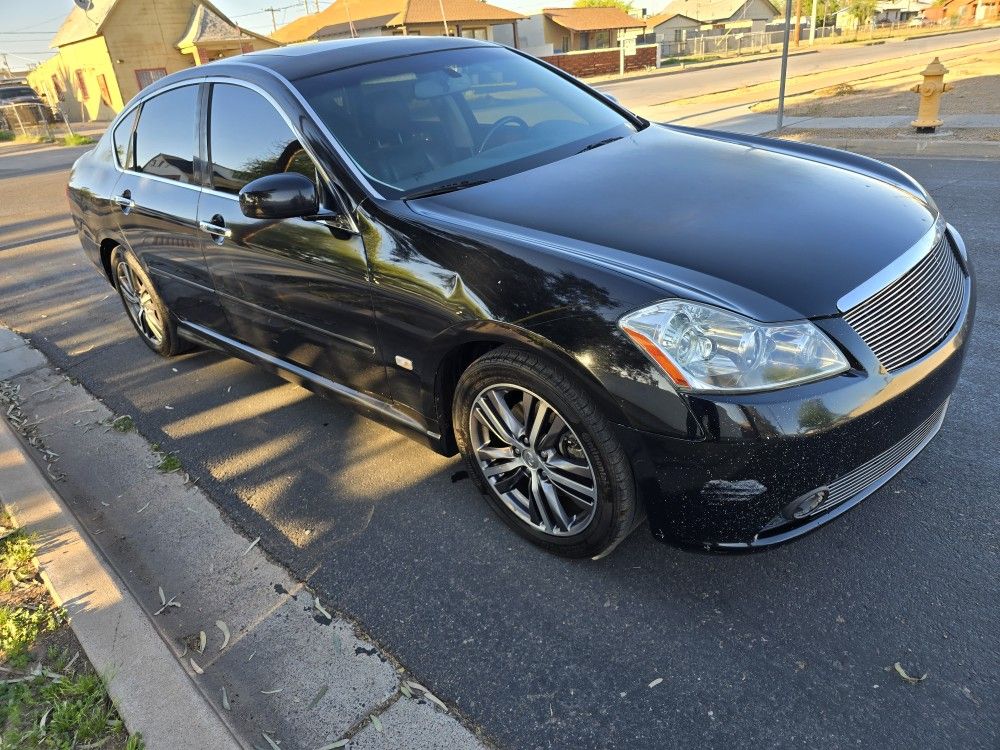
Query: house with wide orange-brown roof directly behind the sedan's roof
357 18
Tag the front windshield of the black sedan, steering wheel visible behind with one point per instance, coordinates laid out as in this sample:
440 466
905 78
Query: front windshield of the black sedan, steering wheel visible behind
444 120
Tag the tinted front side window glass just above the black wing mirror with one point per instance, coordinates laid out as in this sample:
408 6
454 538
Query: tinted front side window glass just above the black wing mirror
249 139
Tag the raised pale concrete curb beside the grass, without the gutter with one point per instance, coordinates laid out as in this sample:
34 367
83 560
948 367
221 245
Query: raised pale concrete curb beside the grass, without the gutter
153 693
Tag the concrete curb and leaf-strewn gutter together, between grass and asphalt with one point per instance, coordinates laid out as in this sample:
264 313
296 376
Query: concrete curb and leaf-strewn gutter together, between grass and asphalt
206 642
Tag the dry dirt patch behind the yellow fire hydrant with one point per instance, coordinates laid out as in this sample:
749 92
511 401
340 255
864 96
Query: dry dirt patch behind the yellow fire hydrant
977 91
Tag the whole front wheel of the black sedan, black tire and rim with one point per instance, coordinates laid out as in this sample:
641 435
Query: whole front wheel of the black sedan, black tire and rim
543 454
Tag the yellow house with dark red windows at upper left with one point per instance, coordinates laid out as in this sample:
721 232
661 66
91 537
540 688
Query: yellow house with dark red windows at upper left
108 54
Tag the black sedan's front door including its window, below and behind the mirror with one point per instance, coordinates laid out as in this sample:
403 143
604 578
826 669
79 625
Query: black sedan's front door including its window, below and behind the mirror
296 289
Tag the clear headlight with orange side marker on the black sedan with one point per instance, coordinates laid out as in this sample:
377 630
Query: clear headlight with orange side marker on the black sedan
703 348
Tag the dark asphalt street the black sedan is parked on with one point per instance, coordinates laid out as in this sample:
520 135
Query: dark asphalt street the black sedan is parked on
792 647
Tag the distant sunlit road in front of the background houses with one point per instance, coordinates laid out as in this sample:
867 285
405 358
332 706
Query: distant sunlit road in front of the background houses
653 90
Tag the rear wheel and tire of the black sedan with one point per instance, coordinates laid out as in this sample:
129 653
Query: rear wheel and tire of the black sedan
144 306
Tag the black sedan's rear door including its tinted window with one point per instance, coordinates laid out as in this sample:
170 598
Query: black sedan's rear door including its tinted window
158 205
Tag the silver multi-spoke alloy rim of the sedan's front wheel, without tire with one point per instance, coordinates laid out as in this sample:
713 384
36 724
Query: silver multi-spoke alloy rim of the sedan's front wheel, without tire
533 460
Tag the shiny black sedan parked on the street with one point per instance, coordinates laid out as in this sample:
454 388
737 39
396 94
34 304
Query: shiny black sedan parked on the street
735 338
